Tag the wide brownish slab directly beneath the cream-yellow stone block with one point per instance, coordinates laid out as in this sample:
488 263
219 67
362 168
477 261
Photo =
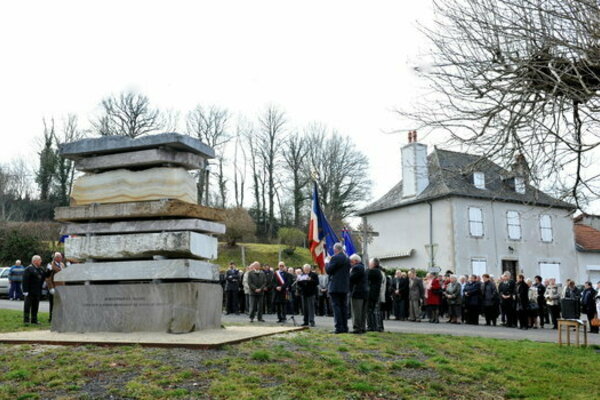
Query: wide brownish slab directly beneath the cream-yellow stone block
138 209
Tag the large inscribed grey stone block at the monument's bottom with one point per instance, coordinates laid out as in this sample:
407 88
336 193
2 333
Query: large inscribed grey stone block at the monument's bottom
180 307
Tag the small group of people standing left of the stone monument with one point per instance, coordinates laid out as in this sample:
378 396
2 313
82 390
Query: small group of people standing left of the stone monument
29 284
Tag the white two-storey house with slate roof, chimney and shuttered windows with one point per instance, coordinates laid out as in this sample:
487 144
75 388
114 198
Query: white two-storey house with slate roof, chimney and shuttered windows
462 212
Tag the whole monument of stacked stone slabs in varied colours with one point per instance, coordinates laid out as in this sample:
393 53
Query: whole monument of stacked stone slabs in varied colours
140 244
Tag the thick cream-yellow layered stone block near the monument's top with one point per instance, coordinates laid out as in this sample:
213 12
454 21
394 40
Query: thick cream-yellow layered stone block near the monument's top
126 186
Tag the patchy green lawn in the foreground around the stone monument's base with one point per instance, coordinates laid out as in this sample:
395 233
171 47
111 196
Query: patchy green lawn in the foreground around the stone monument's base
304 365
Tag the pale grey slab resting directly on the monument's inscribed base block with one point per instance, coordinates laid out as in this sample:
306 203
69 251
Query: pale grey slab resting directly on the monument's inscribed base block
140 270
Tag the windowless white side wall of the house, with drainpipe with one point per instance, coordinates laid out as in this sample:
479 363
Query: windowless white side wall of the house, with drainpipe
407 228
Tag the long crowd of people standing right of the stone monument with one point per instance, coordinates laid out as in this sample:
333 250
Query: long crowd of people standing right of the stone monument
349 289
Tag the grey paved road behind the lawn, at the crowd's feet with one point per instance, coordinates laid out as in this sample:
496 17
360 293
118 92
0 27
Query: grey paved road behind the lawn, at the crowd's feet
326 323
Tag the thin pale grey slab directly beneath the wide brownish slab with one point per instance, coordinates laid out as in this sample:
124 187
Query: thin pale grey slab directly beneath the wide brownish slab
165 225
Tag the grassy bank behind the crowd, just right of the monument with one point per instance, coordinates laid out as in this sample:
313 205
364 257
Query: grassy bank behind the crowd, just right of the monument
264 253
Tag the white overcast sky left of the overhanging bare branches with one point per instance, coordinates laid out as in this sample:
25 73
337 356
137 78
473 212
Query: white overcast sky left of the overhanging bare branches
346 64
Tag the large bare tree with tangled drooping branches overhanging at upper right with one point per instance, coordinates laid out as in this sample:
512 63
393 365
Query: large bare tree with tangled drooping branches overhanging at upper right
514 77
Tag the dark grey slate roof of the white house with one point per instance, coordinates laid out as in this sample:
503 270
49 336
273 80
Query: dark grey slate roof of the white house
451 174
